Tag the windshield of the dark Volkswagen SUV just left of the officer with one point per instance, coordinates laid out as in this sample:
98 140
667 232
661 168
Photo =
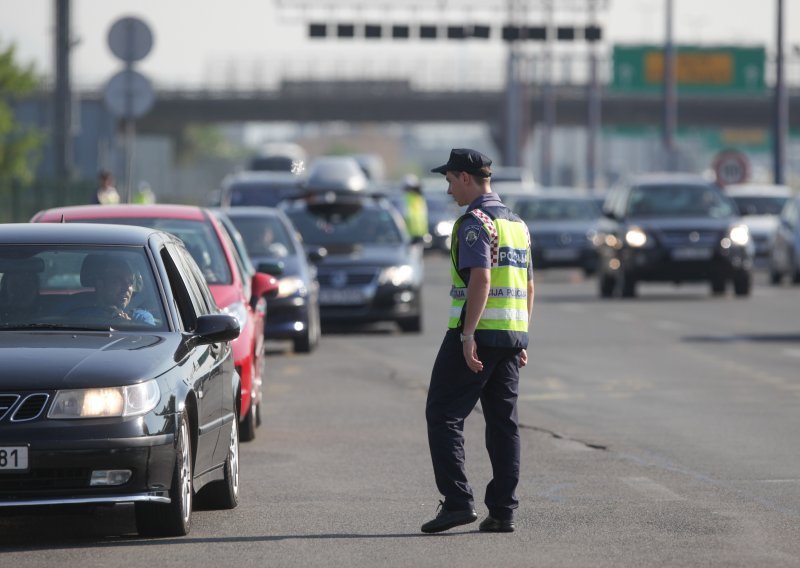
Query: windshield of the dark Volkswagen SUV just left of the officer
345 225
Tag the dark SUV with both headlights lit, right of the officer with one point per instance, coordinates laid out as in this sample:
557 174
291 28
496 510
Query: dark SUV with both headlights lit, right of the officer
672 228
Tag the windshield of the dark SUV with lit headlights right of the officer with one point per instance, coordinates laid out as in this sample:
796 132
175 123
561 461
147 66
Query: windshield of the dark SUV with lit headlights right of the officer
672 200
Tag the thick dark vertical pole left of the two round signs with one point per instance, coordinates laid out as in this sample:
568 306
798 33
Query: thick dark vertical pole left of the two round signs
62 103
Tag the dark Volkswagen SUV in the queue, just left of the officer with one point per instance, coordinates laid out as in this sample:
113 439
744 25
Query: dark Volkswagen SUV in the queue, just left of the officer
368 268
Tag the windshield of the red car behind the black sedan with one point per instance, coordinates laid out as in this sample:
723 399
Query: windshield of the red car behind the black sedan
200 238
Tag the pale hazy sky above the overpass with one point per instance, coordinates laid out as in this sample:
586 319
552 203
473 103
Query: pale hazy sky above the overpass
223 42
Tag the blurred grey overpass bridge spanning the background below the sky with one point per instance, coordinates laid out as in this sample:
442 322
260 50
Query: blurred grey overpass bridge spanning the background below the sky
397 101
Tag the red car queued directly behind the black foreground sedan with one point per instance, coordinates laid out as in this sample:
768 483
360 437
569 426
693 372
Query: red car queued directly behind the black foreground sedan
235 292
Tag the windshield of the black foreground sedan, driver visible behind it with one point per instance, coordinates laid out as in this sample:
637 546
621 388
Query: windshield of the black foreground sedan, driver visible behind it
93 288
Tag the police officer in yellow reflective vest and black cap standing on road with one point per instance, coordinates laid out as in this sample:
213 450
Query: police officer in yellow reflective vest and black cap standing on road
483 348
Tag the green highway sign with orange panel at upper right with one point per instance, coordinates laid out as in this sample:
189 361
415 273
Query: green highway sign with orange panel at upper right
707 69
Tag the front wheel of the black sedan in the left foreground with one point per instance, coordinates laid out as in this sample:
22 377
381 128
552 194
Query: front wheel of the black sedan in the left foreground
175 518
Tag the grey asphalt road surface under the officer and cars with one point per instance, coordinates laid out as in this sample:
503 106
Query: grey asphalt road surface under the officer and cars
660 431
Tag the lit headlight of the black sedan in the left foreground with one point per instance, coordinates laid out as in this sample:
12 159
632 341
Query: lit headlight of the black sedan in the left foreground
131 400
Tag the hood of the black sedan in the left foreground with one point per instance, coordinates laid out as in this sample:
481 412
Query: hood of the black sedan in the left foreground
37 360
